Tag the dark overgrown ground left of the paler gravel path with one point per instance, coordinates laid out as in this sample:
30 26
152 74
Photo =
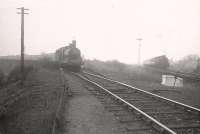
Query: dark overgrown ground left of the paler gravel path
31 108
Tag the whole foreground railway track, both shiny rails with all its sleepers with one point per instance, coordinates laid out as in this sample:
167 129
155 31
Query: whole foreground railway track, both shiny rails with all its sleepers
143 112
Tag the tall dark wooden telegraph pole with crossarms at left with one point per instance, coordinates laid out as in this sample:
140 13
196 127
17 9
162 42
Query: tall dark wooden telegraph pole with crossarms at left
22 9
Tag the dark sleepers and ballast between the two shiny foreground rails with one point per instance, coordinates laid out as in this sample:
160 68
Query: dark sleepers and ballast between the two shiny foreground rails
176 116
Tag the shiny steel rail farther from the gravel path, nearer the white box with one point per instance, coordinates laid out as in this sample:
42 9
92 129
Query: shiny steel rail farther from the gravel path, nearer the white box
149 93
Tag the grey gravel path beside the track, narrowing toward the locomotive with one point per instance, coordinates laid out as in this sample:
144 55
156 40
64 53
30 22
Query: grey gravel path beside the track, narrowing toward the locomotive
85 114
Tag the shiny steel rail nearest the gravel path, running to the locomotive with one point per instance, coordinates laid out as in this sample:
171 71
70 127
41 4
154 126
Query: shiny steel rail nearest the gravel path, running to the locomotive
165 129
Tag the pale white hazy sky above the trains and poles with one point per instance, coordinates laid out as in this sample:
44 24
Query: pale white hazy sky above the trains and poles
104 29
